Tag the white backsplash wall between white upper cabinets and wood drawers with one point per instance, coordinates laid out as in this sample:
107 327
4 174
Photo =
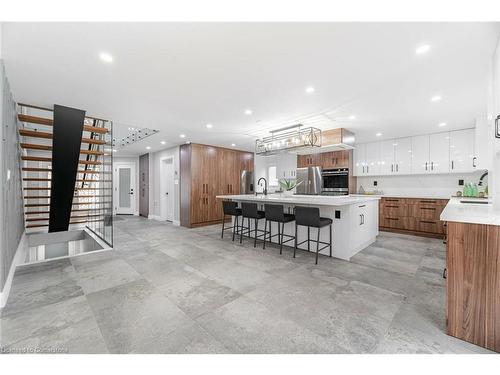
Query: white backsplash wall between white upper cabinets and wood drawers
438 186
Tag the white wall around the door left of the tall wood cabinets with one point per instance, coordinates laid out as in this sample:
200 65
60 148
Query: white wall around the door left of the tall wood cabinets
154 180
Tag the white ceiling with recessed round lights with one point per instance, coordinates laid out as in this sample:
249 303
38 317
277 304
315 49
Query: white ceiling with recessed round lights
177 77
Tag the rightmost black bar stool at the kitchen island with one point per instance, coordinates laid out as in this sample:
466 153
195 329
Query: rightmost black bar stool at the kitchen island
309 217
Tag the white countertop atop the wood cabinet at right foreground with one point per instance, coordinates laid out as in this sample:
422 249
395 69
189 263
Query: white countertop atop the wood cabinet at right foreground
473 213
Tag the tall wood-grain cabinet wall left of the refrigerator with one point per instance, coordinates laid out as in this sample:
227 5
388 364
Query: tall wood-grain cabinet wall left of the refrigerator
205 172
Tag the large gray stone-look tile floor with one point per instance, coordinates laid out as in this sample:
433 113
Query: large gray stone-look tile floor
165 289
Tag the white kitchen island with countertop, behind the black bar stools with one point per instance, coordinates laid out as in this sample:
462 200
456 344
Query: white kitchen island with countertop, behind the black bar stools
355 218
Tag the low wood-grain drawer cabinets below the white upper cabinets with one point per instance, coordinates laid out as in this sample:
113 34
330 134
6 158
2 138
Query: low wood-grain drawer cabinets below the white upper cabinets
413 216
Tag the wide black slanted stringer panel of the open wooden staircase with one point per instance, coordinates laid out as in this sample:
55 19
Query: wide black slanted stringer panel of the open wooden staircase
66 143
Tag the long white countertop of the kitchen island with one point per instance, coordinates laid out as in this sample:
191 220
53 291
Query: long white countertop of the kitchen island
319 200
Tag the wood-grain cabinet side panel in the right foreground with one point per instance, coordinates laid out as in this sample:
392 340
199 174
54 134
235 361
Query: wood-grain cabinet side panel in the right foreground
473 283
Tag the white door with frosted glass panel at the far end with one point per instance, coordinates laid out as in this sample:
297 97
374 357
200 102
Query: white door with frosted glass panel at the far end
124 189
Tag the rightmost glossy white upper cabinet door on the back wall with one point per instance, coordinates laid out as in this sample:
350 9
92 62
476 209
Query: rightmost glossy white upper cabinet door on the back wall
462 151
